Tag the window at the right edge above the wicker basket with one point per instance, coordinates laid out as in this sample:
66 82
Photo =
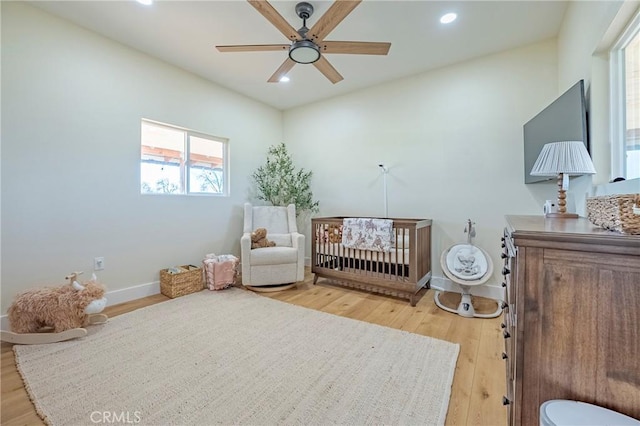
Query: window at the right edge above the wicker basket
625 107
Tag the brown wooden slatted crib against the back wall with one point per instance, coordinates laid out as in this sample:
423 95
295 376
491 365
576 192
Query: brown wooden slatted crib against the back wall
401 272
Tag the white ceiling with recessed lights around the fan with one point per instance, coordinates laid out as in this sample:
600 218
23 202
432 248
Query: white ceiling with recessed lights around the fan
185 33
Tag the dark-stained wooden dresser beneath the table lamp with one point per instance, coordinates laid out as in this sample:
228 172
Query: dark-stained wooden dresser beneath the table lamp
572 316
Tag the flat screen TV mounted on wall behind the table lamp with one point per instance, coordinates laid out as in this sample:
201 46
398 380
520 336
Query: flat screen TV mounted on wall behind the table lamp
564 120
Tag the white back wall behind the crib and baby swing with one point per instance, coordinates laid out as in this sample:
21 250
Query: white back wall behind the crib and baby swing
452 139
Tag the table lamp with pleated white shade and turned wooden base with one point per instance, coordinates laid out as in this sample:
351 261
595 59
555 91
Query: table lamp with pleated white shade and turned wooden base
563 159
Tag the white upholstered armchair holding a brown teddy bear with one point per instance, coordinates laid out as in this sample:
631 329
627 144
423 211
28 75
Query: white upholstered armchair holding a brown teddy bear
268 267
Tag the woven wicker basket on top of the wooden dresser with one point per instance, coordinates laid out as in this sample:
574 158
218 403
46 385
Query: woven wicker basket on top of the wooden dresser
615 212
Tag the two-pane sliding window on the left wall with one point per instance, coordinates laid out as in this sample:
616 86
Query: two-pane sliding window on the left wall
179 161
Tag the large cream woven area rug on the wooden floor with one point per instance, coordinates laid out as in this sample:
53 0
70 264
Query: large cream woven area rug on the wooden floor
232 357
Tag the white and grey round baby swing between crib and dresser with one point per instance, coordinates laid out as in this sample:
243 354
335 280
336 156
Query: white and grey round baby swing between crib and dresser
467 266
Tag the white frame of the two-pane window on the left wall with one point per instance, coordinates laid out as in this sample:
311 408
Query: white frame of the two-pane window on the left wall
185 187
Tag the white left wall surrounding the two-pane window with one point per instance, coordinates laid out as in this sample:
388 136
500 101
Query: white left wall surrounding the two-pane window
72 102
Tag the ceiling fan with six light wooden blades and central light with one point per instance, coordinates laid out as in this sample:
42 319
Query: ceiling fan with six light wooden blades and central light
308 46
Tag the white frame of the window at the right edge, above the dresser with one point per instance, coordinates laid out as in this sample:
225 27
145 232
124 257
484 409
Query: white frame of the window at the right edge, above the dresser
618 98
